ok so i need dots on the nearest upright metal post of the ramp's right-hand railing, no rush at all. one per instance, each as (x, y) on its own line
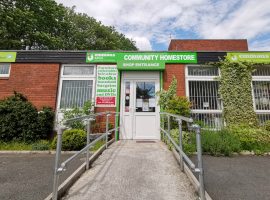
(200, 163)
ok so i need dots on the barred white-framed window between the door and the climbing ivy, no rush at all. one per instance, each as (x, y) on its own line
(202, 91)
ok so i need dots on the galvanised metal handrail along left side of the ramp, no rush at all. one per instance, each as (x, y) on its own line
(89, 118)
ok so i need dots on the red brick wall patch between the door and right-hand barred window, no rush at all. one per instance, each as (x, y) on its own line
(177, 70)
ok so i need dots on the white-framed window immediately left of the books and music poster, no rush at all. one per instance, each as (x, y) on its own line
(77, 85)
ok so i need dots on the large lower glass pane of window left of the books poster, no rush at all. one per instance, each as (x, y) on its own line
(75, 93)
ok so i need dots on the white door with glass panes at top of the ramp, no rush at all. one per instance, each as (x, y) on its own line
(139, 105)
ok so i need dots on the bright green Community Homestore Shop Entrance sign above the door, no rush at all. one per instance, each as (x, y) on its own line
(141, 61)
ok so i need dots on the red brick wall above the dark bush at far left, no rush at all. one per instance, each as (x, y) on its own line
(38, 81)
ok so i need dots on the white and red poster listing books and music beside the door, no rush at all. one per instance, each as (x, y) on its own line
(106, 86)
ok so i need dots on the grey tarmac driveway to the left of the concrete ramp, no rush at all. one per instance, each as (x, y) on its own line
(30, 176)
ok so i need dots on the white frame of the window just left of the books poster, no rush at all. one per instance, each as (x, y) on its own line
(63, 77)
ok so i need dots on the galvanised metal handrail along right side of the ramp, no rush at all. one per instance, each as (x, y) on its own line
(179, 147)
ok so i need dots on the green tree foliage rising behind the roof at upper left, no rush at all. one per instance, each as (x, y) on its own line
(44, 24)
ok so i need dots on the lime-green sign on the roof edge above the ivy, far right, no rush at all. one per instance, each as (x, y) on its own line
(256, 57)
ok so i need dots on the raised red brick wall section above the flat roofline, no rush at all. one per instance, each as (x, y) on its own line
(208, 45)
